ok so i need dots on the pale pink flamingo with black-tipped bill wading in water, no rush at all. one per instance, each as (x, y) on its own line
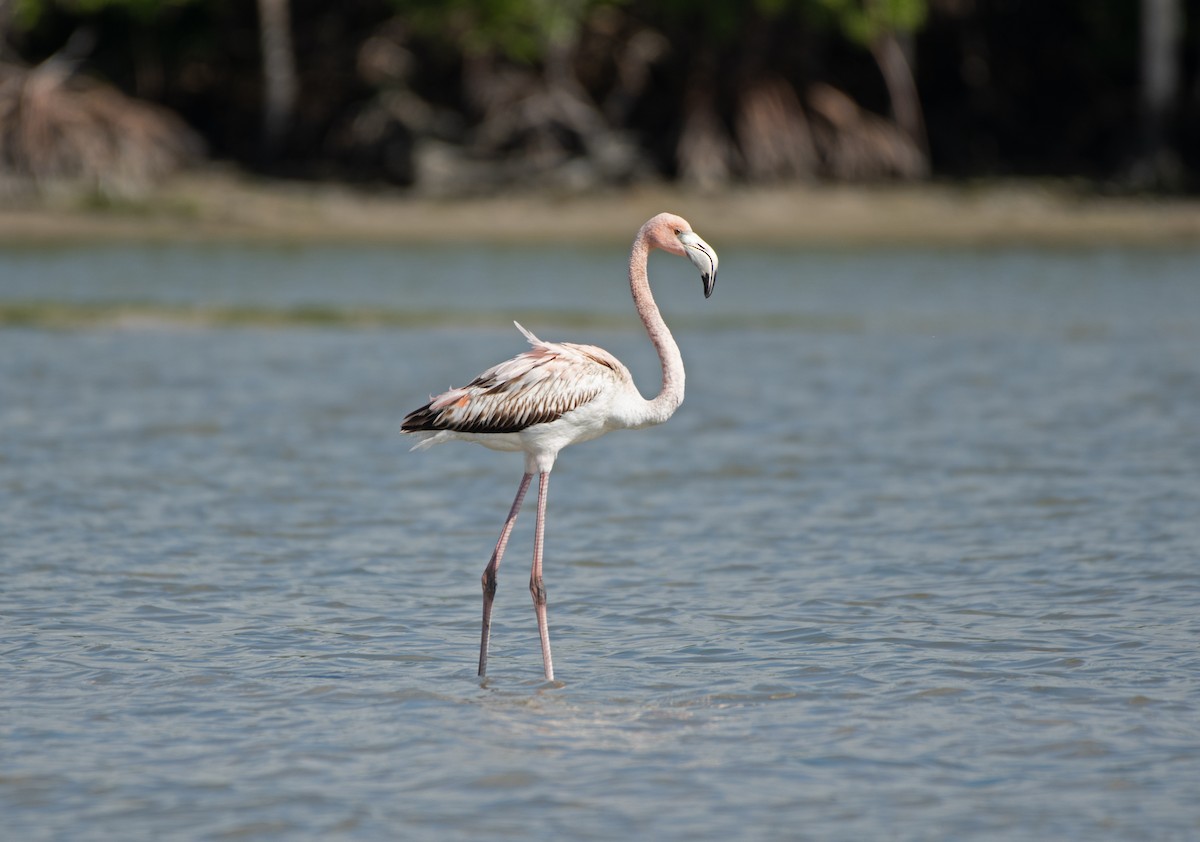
(559, 394)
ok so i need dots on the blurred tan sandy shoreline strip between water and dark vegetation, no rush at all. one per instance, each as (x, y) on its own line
(218, 207)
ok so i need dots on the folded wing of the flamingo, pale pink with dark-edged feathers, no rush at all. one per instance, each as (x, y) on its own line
(537, 387)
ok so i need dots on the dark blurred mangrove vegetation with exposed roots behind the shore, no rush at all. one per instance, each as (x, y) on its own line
(470, 97)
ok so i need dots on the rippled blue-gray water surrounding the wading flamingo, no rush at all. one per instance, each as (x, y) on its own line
(919, 558)
